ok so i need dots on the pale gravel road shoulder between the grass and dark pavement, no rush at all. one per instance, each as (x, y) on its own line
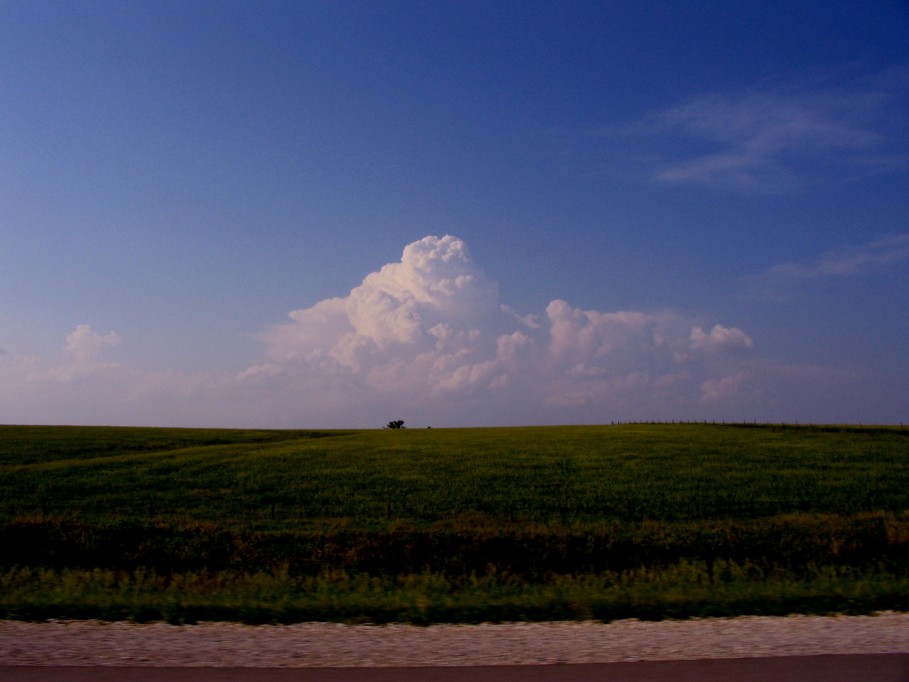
(93, 643)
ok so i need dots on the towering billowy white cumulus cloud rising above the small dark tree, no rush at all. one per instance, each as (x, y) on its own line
(429, 333)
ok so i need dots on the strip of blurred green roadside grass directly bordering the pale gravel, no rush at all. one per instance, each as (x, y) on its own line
(681, 591)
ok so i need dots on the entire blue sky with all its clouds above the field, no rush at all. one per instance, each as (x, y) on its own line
(326, 214)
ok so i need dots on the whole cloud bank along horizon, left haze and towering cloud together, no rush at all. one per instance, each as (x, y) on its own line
(427, 340)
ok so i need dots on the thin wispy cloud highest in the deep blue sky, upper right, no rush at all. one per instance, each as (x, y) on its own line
(771, 140)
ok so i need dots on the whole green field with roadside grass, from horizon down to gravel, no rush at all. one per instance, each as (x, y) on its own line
(452, 525)
